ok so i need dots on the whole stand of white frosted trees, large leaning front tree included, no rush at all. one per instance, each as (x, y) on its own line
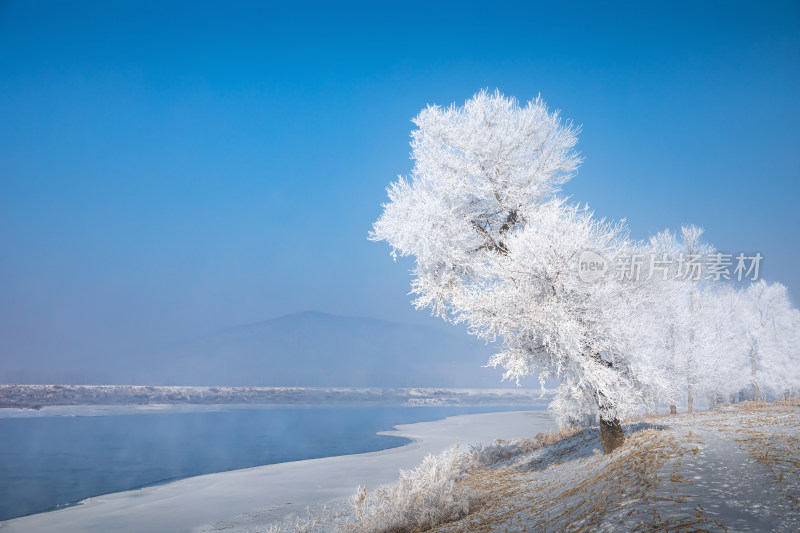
(496, 247)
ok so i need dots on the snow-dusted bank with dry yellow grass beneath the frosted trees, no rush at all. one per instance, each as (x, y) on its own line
(732, 469)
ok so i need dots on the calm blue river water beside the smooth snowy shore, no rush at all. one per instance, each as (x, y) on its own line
(47, 462)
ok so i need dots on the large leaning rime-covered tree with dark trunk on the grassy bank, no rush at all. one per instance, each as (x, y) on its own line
(497, 249)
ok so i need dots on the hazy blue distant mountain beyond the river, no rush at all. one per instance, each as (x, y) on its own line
(313, 349)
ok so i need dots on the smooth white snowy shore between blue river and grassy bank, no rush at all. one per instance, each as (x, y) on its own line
(247, 499)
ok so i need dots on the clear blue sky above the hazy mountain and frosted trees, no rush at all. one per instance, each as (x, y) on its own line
(168, 169)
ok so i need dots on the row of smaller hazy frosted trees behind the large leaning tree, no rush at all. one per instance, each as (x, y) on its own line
(721, 337)
